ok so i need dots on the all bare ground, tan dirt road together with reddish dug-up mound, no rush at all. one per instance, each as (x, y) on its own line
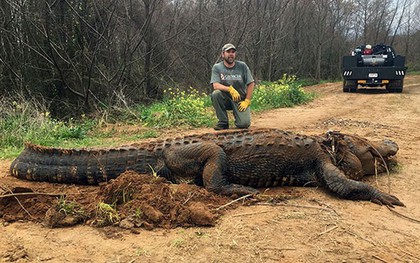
(160, 222)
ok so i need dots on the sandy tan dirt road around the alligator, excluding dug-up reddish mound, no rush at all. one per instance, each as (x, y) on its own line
(313, 227)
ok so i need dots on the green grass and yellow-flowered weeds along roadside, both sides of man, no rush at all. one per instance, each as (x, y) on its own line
(23, 120)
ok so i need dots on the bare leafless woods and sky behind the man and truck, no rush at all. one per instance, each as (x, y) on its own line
(80, 57)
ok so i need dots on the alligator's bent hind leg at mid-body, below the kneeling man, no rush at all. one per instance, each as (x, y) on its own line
(207, 160)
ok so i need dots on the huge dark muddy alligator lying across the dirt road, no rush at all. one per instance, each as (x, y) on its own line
(233, 162)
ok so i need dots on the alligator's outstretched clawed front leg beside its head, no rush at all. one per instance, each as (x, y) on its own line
(336, 182)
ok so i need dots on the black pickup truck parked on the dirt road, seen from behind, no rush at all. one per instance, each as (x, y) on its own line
(377, 68)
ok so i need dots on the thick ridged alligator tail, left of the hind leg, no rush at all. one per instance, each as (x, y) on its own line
(79, 166)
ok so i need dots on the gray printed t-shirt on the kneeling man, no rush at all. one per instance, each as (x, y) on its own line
(239, 76)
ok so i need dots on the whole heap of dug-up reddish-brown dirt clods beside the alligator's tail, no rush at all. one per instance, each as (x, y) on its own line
(132, 200)
